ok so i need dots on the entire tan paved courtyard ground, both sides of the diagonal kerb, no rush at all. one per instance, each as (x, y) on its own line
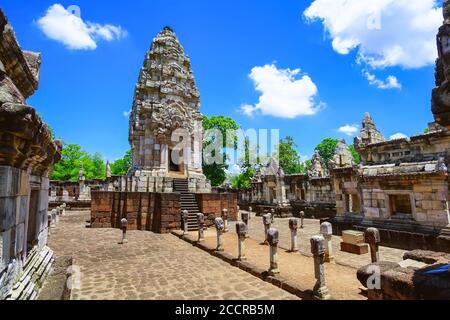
(167, 268)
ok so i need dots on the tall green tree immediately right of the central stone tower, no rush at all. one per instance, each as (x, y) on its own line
(216, 172)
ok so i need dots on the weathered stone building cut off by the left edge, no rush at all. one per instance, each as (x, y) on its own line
(27, 155)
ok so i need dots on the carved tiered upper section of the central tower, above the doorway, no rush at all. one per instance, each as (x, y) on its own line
(166, 93)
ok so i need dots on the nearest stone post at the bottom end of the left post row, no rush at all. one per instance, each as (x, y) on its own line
(318, 250)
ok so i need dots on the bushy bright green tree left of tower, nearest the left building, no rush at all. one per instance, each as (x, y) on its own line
(68, 168)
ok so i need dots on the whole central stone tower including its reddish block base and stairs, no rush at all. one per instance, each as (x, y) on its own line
(164, 179)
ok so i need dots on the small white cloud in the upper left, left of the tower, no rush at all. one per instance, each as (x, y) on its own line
(61, 25)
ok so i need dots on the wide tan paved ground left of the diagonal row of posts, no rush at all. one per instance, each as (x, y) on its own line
(150, 267)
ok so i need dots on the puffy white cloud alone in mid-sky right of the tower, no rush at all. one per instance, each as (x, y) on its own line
(285, 93)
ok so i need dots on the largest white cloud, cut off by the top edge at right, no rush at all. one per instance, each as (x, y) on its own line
(385, 33)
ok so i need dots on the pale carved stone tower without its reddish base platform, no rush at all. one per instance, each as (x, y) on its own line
(166, 111)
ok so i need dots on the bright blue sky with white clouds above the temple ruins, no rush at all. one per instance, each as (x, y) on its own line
(344, 69)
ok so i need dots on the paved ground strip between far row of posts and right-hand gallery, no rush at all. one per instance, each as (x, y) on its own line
(312, 227)
